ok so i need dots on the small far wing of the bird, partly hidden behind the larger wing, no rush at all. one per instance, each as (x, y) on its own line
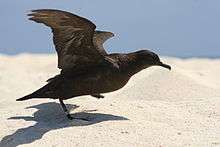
(99, 39)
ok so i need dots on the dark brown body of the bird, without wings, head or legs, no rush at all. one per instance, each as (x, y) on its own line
(97, 79)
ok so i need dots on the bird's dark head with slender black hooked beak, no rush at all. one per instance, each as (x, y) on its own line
(146, 58)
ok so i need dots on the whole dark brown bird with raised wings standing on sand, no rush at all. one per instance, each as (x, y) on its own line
(86, 68)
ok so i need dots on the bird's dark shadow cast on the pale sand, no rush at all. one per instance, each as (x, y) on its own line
(48, 117)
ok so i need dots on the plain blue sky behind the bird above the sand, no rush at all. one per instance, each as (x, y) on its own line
(183, 28)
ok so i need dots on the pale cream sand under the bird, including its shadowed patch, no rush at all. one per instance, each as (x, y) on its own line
(156, 108)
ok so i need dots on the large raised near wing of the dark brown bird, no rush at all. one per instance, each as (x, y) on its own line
(72, 36)
